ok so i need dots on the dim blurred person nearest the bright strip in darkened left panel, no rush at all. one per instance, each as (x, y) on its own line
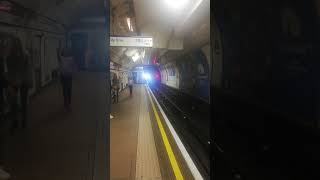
(67, 67)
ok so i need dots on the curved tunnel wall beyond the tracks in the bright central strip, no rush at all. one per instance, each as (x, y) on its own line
(189, 73)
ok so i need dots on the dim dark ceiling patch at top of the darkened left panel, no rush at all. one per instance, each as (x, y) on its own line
(67, 12)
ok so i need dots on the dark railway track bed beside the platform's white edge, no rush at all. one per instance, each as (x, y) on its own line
(191, 124)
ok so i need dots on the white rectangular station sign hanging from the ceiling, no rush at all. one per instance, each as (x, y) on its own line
(131, 41)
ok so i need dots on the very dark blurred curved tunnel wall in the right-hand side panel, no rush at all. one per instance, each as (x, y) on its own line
(269, 58)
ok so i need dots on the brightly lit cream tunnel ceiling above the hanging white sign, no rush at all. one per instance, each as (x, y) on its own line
(170, 28)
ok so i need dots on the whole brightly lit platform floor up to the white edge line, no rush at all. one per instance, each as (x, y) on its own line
(137, 146)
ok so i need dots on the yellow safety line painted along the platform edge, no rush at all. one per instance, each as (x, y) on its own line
(172, 158)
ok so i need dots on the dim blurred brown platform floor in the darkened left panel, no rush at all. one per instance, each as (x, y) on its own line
(57, 145)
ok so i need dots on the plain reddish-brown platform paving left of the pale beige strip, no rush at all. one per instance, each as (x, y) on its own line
(124, 135)
